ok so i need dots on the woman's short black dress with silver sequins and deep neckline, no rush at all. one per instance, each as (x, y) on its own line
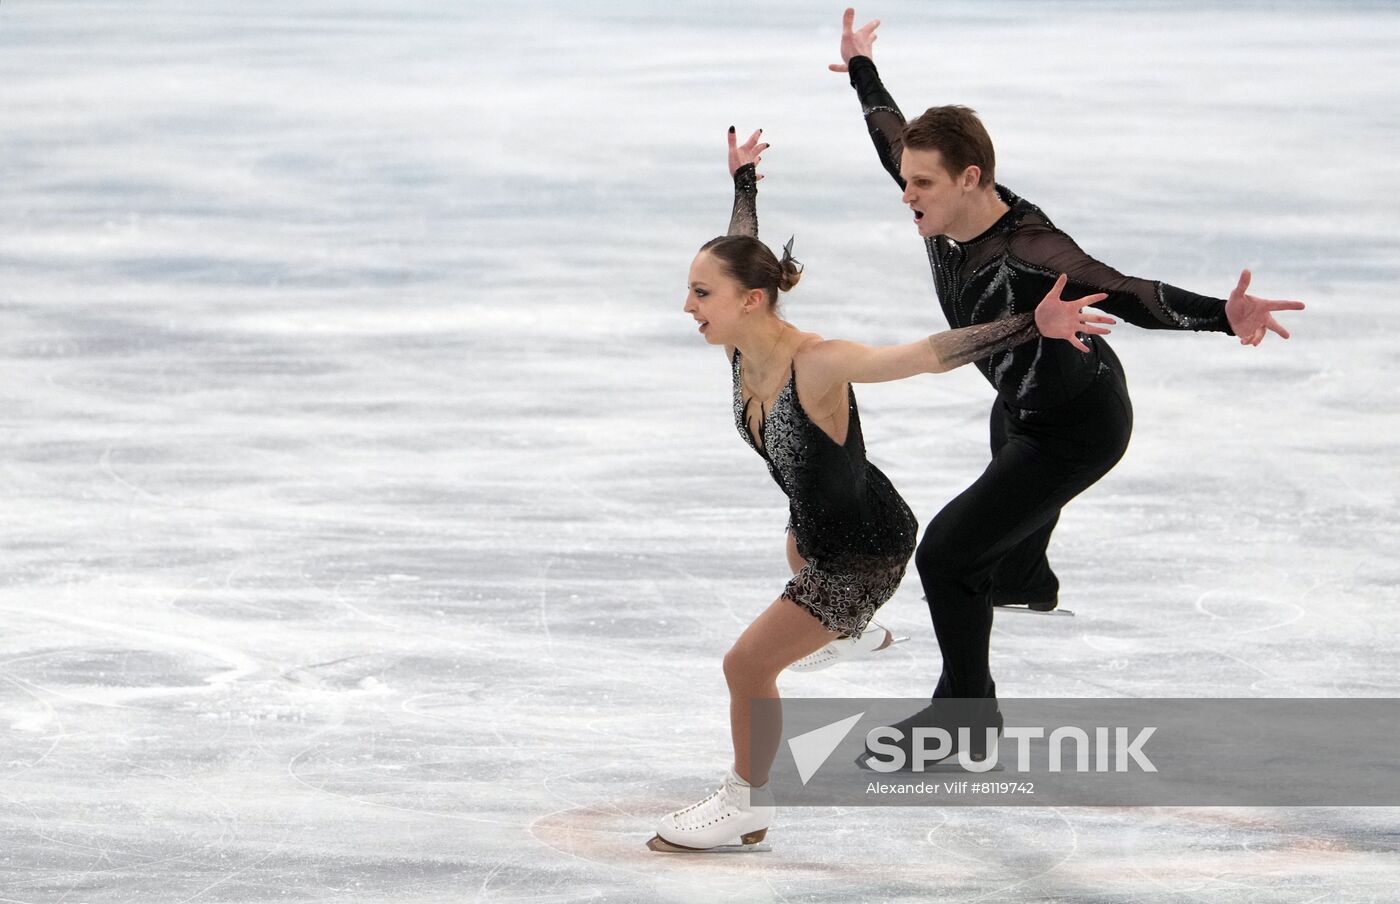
(850, 524)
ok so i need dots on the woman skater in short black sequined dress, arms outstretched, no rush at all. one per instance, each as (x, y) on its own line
(850, 534)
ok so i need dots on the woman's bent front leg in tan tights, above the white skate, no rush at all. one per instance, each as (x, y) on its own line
(779, 637)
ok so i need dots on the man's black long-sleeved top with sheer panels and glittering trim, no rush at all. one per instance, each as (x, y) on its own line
(1010, 268)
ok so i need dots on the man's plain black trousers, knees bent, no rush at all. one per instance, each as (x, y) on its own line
(997, 530)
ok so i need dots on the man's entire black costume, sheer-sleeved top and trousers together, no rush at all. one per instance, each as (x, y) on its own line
(1062, 419)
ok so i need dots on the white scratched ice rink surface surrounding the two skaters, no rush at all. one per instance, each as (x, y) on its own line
(374, 518)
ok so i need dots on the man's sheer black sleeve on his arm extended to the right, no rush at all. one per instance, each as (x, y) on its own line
(1143, 303)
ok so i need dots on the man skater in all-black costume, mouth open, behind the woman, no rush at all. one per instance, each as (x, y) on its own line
(1062, 418)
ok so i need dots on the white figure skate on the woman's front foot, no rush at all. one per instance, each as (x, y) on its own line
(733, 819)
